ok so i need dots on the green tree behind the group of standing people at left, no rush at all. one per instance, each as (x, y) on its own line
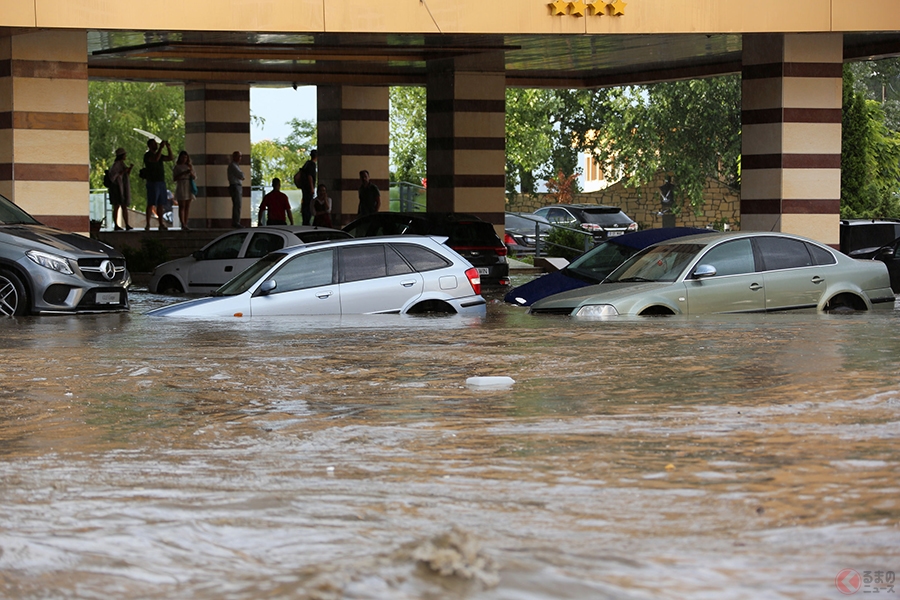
(115, 110)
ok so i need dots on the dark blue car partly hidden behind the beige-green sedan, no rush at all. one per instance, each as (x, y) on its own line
(593, 266)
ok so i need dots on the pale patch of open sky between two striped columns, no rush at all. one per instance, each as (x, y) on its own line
(278, 106)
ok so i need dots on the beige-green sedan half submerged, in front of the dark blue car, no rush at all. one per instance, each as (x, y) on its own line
(730, 273)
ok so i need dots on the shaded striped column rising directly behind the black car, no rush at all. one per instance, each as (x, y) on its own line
(467, 137)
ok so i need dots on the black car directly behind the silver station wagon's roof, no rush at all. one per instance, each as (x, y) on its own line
(472, 238)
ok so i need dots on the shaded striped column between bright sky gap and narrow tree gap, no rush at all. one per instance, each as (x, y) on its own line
(354, 134)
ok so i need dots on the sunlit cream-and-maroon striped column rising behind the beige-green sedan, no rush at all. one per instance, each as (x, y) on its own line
(791, 179)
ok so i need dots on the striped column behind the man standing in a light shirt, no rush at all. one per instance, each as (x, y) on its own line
(217, 122)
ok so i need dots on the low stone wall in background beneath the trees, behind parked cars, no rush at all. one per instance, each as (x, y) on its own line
(722, 204)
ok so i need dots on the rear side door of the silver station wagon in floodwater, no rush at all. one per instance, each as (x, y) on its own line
(376, 279)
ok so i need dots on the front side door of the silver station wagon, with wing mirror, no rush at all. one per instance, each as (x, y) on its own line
(304, 285)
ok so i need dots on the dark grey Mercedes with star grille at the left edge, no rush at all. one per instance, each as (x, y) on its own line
(45, 270)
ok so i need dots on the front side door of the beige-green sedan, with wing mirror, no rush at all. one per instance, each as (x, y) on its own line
(736, 286)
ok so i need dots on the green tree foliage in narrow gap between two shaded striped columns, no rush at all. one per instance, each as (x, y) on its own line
(408, 133)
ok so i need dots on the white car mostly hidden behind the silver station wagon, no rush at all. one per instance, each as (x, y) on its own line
(229, 254)
